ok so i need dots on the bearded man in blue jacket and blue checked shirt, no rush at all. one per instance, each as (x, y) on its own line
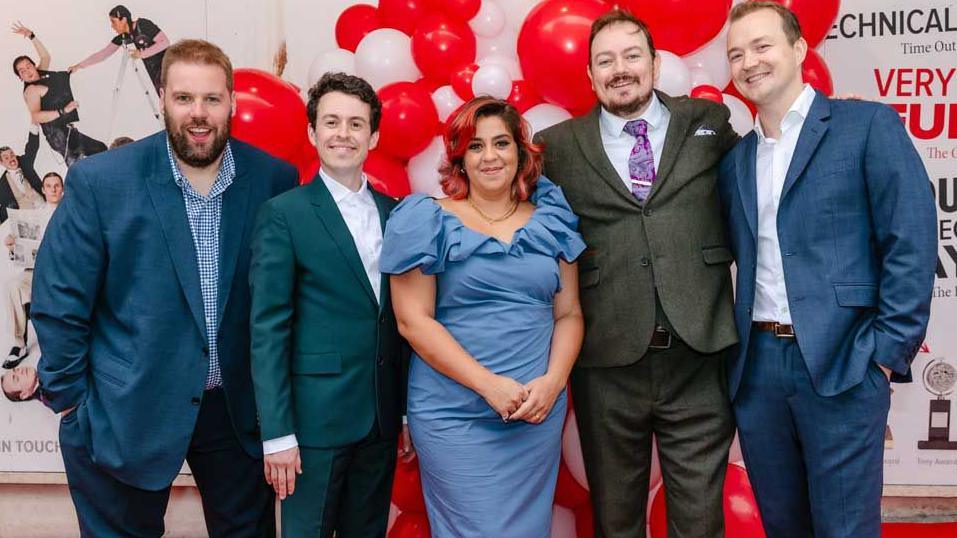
(141, 306)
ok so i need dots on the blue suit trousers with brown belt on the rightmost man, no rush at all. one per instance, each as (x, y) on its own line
(815, 462)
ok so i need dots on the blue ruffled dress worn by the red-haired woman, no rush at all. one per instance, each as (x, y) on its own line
(481, 476)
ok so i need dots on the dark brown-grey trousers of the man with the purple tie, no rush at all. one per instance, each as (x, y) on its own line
(680, 397)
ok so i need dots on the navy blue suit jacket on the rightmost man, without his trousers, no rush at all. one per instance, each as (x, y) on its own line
(857, 229)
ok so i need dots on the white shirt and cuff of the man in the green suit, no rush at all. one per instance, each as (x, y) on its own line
(361, 215)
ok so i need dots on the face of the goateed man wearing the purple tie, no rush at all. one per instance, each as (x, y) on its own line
(622, 70)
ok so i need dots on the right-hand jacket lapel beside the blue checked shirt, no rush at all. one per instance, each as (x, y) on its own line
(232, 227)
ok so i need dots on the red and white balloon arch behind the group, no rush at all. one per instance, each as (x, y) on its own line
(427, 57)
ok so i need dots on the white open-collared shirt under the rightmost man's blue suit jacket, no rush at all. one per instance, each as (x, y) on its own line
(772, 163)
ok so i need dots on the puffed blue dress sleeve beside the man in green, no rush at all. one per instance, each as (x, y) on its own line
(414, 237)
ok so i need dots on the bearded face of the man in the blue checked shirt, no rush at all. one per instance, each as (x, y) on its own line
(197, 107)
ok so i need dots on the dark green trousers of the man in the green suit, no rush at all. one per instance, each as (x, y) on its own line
(346, 490)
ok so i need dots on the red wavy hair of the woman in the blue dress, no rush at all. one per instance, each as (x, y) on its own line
(460, 132)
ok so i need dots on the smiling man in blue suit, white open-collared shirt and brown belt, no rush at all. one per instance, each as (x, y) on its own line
(832, 223)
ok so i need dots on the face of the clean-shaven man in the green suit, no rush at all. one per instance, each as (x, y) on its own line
(343, 133)
